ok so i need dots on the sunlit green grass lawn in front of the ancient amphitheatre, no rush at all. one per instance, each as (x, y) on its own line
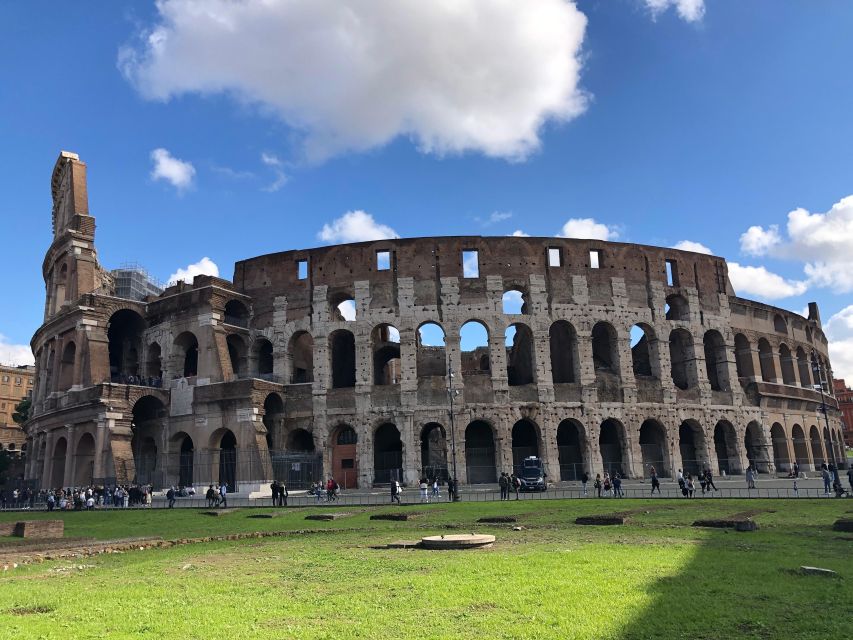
(657, 577)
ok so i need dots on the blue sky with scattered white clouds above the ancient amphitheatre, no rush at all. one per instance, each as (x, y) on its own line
(652, 121)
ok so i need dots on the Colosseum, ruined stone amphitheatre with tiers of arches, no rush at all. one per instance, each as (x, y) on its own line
(393, 359)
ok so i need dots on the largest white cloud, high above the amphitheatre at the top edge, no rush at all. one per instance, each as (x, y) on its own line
(453, 75)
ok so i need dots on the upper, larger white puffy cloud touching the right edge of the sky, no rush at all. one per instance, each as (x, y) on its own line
(821, 241)
